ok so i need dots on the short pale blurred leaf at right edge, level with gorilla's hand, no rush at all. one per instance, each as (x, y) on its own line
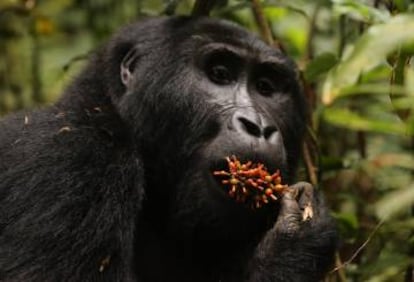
(395, 202)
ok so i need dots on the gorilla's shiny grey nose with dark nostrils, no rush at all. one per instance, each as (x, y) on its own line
(255, 126)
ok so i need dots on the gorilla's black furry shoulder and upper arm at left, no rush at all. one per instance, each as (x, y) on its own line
(67, 207)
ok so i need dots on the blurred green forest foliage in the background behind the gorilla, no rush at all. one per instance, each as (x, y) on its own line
(357, 62)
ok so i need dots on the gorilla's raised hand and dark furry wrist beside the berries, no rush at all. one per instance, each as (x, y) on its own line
(301, 244)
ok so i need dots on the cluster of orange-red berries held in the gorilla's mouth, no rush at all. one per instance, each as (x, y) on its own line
(251, 183)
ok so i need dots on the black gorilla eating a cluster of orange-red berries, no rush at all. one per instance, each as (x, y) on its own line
(114, 182)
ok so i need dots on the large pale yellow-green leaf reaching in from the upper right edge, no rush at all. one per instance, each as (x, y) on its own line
(370, 51)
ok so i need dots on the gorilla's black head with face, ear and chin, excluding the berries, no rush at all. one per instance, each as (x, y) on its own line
(214, 91)
